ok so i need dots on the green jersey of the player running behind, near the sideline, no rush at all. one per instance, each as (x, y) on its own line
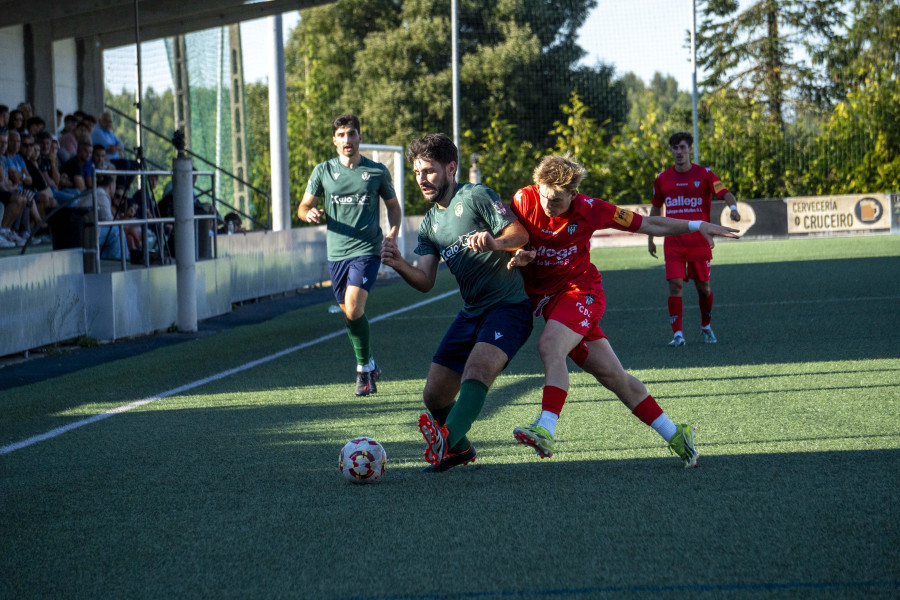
(351, 205)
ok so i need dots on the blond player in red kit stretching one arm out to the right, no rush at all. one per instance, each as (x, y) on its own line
(564, 286)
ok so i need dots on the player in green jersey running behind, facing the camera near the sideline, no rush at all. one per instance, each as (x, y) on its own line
(350, 185)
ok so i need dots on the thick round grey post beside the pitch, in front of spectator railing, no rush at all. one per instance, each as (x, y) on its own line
(185, 261)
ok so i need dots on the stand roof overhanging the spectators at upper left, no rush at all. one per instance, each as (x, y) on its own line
(113, 21)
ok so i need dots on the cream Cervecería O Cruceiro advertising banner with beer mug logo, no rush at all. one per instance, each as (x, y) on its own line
(827, 214)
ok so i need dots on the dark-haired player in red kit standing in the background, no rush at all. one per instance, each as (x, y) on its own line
(686, 190)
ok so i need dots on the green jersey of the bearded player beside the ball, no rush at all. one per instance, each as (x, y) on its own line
(484, 281)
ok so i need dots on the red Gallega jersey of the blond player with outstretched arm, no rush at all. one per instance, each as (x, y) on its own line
(563, 243)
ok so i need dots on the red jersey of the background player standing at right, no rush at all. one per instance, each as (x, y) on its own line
(687, 196)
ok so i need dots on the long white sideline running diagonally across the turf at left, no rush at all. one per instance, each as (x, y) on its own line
(188, 386)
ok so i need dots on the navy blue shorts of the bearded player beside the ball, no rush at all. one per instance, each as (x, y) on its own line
(506, 326)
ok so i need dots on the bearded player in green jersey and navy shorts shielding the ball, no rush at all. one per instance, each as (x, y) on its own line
(474, 232)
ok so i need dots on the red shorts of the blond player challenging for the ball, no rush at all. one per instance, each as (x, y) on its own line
(579, 311)
